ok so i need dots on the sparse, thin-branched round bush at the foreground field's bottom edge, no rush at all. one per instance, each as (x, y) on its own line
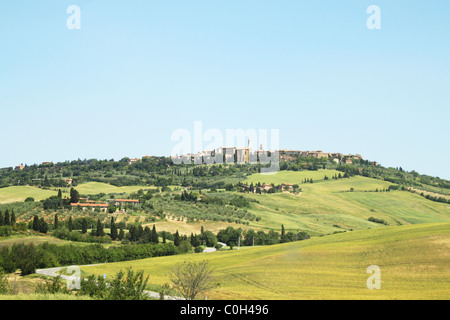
(191, 279)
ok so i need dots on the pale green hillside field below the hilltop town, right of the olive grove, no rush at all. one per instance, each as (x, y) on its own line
(329, 206)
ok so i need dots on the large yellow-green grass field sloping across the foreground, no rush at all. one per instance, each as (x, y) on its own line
(414, 261)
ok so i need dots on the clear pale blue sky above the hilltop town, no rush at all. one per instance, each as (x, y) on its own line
(137, 71)
